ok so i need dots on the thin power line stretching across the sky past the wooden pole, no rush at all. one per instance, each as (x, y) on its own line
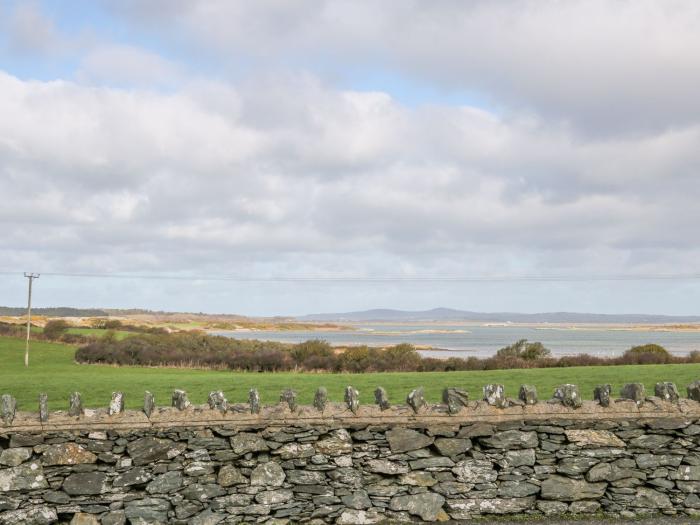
(387, 278)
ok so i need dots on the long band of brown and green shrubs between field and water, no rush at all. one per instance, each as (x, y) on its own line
(197, 350)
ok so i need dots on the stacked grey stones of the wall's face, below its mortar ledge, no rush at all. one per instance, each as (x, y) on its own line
(371, 474)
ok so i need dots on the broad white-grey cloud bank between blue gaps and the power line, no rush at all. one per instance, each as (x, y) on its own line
(264, 176)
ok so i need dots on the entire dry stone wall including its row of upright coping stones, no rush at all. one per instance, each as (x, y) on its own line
(352, 463)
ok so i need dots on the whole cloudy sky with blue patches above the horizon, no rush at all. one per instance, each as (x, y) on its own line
(232, 143)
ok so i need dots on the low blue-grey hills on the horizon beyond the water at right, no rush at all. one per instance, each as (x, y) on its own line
(448, 314)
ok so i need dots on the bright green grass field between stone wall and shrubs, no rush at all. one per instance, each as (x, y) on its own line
(53, 370)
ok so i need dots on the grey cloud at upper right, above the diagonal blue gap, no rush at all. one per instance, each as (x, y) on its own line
(603, 67)
